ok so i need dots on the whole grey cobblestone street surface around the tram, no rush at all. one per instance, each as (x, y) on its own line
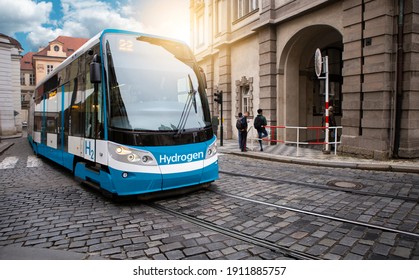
(42, 206)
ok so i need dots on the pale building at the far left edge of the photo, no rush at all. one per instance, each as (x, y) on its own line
(10, 119)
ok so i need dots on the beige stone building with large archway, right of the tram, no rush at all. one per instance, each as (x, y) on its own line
(260, 53)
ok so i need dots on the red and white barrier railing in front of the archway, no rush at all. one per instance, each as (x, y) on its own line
(274, 136)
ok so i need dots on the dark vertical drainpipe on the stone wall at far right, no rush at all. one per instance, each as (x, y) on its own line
(399, 80)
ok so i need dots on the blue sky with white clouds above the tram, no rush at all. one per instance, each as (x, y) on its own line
(34, 23)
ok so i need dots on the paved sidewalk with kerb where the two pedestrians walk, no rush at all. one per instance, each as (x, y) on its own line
(314, 157)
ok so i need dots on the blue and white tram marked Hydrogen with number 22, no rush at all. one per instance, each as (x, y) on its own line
(128, 113)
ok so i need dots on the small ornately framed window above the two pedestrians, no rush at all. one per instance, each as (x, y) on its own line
(244, 95)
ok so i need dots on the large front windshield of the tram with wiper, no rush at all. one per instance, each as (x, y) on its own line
(153, 85)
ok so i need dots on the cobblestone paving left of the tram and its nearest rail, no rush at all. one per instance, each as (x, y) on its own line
(44, 207)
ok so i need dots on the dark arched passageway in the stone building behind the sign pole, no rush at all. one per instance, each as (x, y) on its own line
(300, 93)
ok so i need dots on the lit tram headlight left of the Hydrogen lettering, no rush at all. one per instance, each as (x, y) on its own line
(130, 155)
